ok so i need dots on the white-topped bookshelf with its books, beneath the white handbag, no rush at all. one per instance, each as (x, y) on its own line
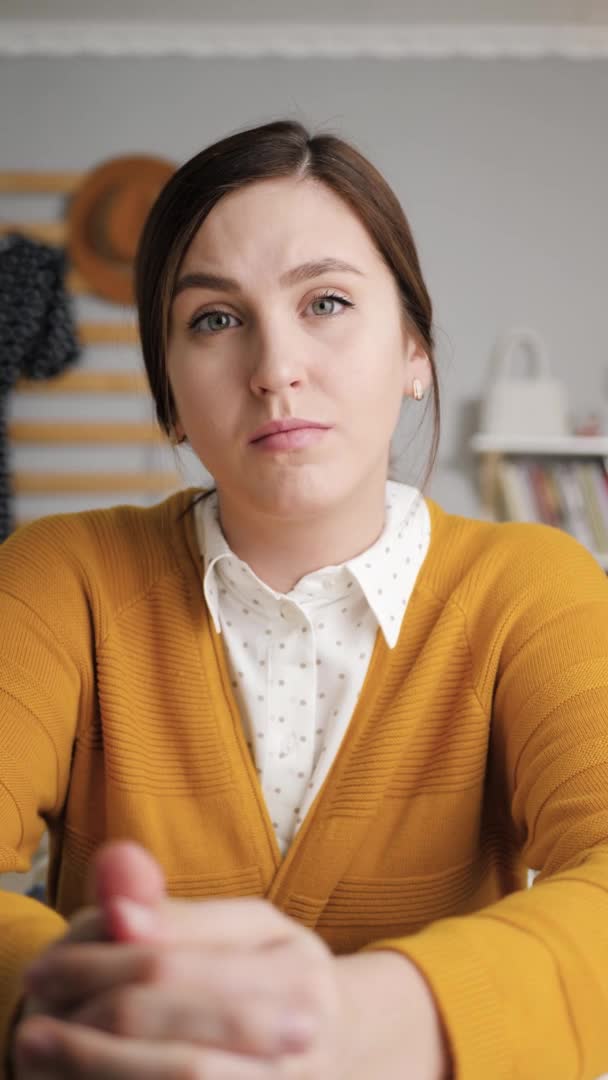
(561, 481)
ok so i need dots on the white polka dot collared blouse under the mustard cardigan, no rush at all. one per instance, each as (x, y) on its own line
(299, 660)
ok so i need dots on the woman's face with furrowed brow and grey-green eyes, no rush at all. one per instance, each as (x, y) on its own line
(286, 310)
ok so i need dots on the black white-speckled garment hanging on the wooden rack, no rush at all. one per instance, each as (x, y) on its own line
(37, 333)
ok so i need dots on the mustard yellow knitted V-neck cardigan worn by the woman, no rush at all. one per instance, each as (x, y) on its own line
(479, 748)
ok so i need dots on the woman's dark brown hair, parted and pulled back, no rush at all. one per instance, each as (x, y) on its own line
(281, 148)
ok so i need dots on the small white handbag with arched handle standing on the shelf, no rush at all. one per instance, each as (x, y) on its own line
(523, 404)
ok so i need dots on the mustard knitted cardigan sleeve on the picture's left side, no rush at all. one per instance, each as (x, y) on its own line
(44, 616)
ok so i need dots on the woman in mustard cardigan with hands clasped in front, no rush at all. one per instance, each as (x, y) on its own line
(349, 719)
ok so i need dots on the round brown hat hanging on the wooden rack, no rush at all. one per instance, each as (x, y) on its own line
(106, 217)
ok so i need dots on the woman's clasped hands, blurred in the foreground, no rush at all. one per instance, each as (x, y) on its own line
(144, 988)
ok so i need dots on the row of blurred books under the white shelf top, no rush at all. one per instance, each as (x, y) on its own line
(571, 495)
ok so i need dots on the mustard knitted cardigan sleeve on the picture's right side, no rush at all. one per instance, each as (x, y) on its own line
(522, 985)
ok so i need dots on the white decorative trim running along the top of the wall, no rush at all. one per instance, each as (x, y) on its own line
(305, 40)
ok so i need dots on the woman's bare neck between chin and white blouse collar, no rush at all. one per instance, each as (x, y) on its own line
(281, 550)
